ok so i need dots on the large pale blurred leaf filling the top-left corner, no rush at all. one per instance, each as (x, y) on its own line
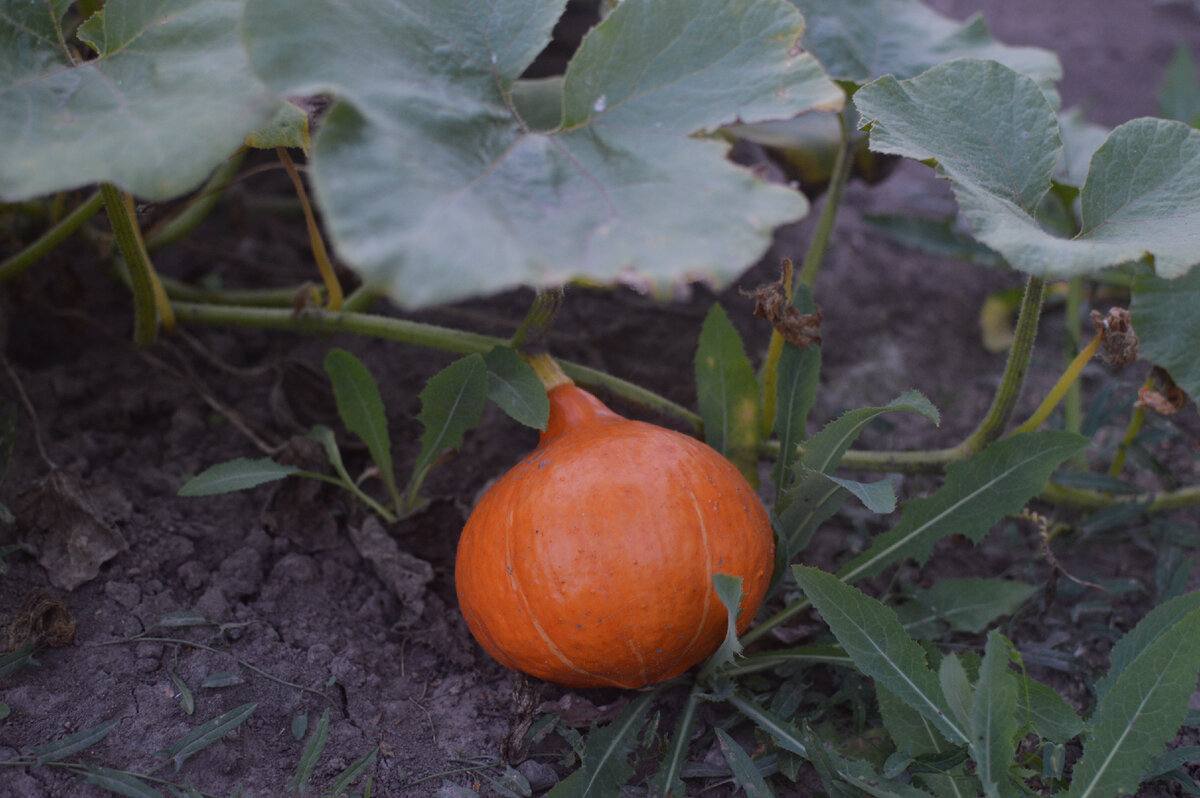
(169, 97)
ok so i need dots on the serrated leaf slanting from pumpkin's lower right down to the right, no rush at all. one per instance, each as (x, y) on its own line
(874, 639)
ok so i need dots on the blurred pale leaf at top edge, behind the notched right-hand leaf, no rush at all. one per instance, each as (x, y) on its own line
(862, 40)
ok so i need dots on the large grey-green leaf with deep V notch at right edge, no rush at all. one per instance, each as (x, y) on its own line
(995, 137)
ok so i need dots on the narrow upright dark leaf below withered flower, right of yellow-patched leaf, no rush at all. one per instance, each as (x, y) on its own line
(796, 391)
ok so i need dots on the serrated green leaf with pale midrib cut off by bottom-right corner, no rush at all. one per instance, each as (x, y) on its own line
(1141, 713)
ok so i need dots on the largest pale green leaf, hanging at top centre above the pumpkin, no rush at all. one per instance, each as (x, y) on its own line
(435, 189)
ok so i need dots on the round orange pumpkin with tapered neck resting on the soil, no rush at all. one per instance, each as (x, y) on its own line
(591, 562)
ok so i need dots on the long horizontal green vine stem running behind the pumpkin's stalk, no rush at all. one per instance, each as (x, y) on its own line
(321, 322)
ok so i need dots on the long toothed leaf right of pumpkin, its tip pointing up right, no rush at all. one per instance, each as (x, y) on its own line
(979, 491)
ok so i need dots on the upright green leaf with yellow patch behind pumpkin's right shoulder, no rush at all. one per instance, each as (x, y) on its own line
(728, 394)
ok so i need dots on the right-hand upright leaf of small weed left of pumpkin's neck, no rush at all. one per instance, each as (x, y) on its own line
(452, 404)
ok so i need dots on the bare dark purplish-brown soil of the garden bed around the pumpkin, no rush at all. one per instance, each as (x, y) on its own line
(320, 611)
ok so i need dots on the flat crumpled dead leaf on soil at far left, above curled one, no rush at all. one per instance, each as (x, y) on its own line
(62, 527)
